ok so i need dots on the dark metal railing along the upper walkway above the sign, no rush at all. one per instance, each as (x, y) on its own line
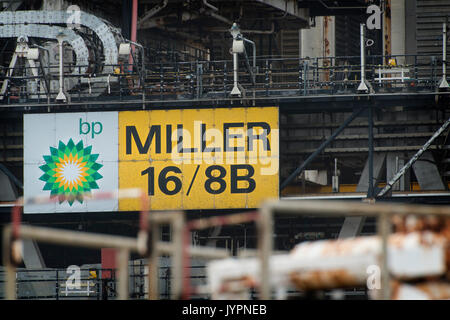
(274, 77)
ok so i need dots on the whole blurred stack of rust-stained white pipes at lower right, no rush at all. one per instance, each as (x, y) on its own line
(418, 251)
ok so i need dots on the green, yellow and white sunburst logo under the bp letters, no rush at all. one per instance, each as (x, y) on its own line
(70, 171)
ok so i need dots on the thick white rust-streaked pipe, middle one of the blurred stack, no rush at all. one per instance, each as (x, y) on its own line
(328, 264)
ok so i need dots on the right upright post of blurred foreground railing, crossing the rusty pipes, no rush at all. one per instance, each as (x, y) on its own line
(383, 232)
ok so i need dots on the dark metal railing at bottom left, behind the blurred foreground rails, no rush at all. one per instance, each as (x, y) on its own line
(94, 283)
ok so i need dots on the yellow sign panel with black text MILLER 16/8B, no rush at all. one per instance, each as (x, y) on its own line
(199, 158)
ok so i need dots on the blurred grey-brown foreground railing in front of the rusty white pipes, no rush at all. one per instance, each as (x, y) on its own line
(383, 212)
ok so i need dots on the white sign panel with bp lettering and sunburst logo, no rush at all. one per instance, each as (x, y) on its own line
(68, 156)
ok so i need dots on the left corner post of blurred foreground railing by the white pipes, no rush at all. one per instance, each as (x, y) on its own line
(265, 245)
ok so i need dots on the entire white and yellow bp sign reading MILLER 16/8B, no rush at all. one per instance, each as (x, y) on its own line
(182, 159)
